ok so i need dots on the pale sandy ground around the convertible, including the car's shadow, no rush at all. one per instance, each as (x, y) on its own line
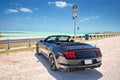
(29, 66)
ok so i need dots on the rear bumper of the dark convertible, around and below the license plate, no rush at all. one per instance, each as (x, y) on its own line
(64, 64)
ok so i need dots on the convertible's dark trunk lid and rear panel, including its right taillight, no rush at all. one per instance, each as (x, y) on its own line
(82, 51)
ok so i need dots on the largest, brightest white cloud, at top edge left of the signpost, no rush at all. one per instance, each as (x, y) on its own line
(60, 4)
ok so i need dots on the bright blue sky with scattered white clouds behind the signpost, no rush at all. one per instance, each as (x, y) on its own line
(56, 16)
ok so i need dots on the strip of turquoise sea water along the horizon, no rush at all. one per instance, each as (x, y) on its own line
(28, 33)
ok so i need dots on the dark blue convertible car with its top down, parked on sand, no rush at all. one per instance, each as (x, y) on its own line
(65, 54)
